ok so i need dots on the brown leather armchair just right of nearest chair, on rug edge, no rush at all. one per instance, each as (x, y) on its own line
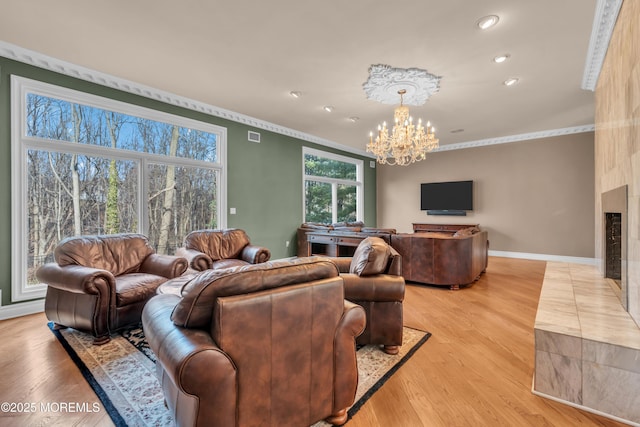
(373, 279)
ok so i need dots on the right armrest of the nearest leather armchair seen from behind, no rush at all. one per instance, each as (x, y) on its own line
(350, 327)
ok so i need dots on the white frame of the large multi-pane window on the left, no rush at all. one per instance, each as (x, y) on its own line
(21, 143)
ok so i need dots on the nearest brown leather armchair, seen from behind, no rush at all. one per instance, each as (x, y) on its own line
(259, 345)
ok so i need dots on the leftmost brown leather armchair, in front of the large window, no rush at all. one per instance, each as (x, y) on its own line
(99, 284)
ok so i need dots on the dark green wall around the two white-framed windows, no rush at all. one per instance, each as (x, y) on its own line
(264, 180)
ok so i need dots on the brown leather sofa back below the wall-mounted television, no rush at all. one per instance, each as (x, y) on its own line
(443, 258)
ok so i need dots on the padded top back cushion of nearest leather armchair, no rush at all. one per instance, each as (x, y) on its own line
(195, 309)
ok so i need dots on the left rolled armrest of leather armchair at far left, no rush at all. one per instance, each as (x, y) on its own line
(77, 279)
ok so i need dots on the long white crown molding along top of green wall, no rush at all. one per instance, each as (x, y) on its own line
(52, 64)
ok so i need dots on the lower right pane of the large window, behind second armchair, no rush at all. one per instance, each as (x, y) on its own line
(181, 199)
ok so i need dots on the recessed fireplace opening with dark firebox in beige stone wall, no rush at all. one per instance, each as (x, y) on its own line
(614, 242)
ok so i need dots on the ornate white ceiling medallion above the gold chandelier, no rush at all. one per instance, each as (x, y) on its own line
(384, 82)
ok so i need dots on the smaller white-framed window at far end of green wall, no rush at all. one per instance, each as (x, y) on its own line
(333, 187)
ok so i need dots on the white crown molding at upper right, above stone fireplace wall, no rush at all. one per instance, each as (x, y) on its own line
(603, 23)
